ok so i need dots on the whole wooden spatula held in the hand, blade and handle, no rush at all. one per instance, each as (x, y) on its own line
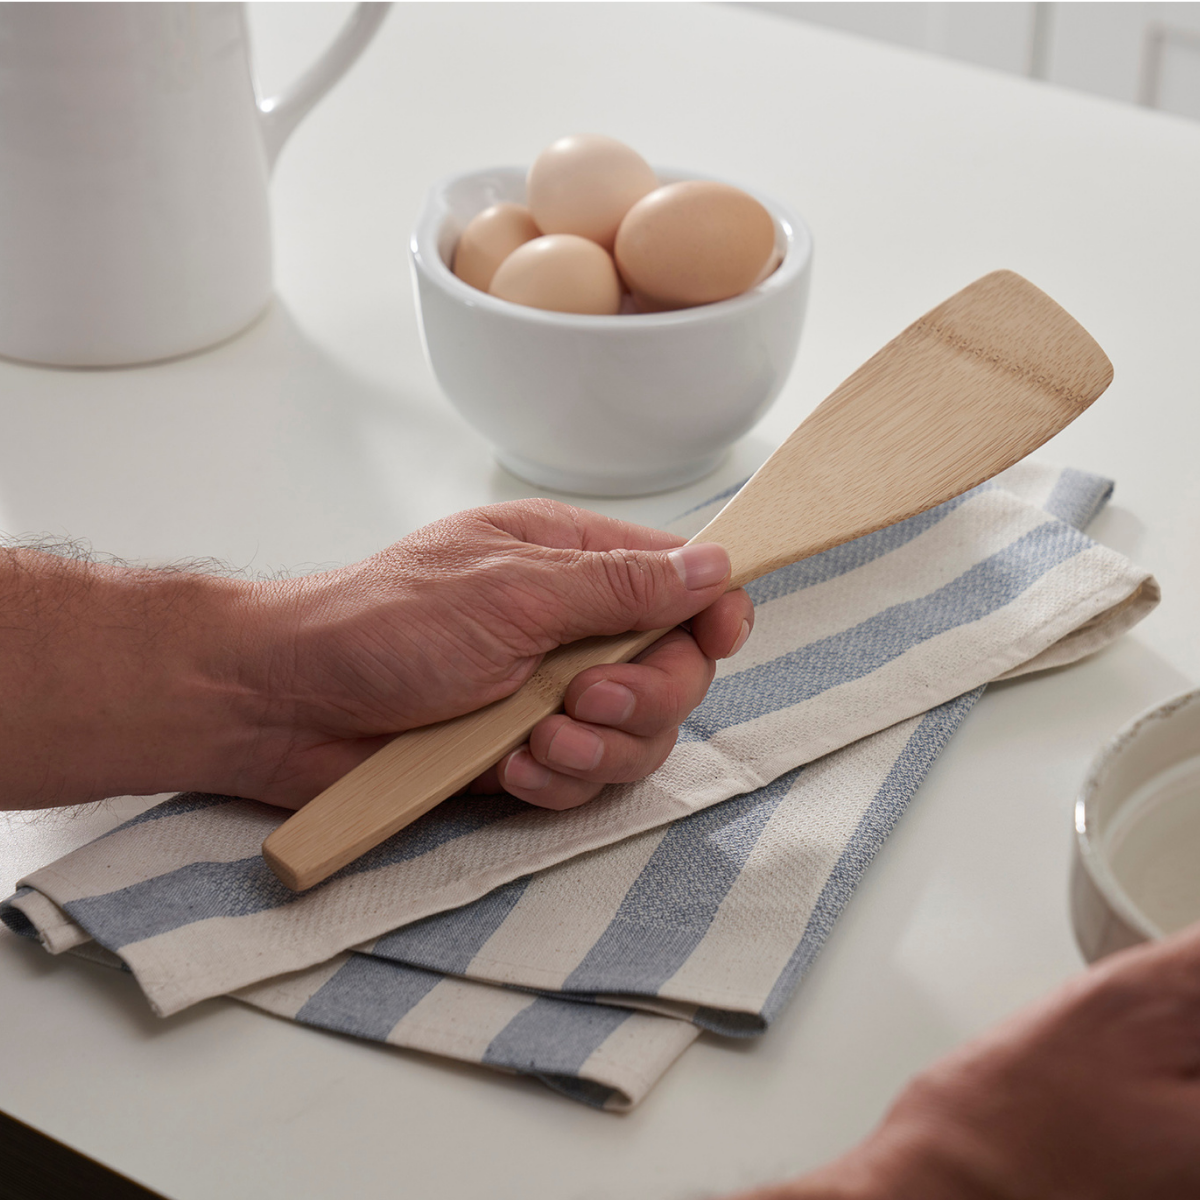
(967, 392)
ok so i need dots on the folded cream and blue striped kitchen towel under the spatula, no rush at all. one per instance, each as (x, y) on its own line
(590, 947)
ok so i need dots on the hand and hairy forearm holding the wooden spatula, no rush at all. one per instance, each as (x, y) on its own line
(119, 681)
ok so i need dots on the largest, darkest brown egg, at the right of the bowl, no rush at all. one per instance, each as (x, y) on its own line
(694, 243)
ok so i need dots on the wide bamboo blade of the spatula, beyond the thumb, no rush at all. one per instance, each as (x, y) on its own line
(965, 392)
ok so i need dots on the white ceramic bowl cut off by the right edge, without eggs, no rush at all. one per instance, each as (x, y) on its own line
(1137, 869)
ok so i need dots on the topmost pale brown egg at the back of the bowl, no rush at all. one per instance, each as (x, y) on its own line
(586, 184)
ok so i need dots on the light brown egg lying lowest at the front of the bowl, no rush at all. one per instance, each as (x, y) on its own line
(561, 272)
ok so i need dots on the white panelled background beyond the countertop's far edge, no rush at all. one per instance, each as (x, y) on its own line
(1141, 53)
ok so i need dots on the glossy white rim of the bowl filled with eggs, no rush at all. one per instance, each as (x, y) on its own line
(427, 257)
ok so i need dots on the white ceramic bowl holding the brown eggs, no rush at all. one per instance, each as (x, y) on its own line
(603, 406)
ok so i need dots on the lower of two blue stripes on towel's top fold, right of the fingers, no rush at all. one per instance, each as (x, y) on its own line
(854, 653)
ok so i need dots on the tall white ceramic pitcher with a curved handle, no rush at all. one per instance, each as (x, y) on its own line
(135, 159)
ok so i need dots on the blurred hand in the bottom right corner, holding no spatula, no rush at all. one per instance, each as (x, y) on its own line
(1090, 1095)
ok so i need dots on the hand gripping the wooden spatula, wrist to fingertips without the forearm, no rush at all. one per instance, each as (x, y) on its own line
(461, 613)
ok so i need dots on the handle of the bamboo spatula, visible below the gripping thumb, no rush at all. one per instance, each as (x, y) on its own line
(410, 776)
